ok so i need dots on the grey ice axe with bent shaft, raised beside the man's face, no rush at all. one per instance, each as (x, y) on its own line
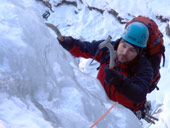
(107, 44)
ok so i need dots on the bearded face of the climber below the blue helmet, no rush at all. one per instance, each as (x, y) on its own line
(125, 52)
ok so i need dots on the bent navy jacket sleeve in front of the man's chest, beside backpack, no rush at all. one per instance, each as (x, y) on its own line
(136, 87)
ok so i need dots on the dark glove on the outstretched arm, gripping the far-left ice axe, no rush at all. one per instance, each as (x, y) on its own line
(67, 43)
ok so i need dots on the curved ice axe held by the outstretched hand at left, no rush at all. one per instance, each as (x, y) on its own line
(56, 30)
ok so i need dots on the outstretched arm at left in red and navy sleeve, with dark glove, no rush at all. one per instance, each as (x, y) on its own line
(82, 48)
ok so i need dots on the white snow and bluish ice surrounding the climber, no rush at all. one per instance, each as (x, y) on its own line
(43, 86)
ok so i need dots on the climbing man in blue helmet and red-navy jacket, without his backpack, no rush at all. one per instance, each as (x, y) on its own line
(129, 81)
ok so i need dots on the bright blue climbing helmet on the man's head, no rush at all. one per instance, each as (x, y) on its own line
(137, 34)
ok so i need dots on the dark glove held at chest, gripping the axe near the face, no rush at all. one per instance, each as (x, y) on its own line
(113, 77)
